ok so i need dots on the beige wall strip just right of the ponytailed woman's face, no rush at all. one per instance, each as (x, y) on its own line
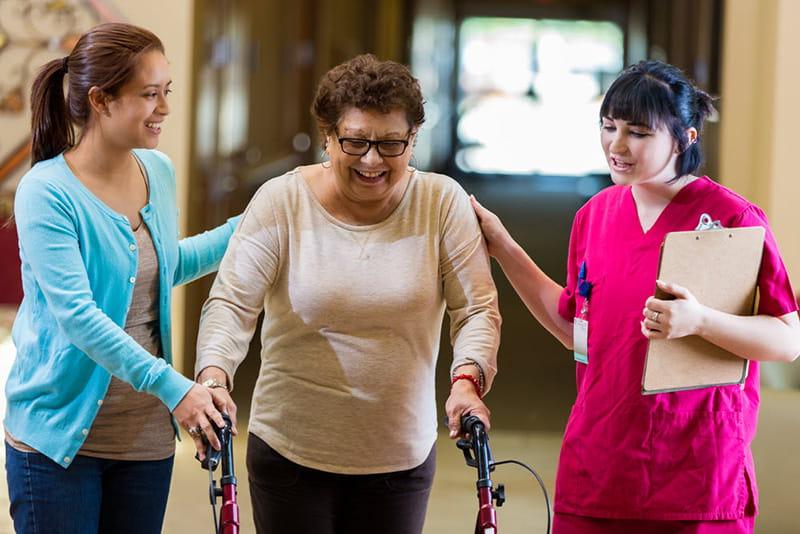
(172, 21)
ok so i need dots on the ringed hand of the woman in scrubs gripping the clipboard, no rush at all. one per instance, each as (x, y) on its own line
(671, 319)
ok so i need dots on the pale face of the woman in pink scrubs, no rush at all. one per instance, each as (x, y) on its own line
(637, 154)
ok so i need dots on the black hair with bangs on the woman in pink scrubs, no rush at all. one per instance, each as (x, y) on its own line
(653, 94)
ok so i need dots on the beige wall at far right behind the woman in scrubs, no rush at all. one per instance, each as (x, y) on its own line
(761, 109)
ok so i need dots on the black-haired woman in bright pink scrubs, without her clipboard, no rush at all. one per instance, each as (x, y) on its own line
(670, 462)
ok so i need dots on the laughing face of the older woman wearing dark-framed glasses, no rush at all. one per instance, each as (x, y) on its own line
(371, 178)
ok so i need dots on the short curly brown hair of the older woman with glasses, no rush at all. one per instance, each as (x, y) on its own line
(365, 82)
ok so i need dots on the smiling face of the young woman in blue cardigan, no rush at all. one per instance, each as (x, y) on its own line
(133, 117)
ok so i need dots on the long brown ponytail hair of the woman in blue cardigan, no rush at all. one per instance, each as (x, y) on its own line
(105, 57)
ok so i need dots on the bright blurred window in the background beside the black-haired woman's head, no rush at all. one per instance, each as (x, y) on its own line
(529, 95)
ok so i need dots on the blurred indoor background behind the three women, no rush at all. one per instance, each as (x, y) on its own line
(513, 89)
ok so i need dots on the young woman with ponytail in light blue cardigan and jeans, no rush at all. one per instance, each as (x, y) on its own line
(89, 434)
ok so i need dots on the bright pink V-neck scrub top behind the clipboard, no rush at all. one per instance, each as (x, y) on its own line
(669, 456)
